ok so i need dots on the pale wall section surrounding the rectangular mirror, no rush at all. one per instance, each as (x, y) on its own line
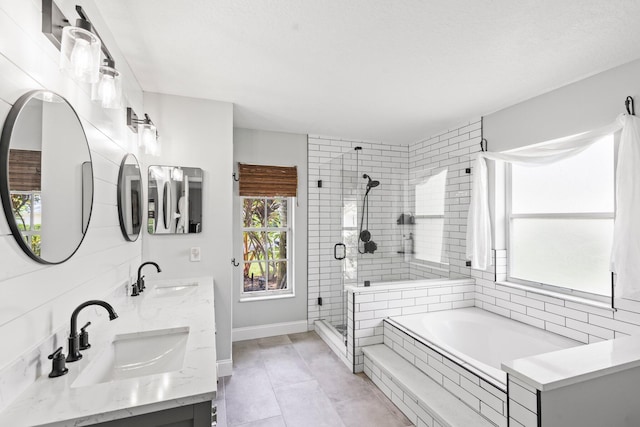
(197, 133)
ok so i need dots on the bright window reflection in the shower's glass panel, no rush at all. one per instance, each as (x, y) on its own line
(429, 219)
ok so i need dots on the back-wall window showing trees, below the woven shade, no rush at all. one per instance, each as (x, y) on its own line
(266, 239)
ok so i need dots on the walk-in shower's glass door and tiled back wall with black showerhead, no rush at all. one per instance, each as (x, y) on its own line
(358, 238)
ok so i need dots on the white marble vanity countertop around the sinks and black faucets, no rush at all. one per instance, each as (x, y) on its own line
(55, 402)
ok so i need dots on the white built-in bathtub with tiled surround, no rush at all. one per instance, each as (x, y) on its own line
(478, 340)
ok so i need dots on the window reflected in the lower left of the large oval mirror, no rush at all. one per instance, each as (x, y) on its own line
(27, 212)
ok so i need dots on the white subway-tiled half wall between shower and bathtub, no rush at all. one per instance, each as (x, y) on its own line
(367, 307)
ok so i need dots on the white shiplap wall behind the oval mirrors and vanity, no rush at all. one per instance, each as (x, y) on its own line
(36, 300)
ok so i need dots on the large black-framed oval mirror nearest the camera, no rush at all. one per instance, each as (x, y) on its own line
(47, 181)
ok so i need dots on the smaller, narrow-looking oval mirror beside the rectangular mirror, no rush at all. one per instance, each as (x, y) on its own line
(130, 197)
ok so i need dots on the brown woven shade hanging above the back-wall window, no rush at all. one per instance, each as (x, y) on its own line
(268, 181)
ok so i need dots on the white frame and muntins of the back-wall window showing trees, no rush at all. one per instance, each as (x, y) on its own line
(289, 229)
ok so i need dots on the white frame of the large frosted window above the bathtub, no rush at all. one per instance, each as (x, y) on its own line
(509, 216)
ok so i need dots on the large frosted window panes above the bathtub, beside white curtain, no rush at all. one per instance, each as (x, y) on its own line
(560, 220)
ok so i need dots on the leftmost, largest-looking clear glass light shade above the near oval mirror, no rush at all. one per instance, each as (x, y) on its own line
(80, 54)
